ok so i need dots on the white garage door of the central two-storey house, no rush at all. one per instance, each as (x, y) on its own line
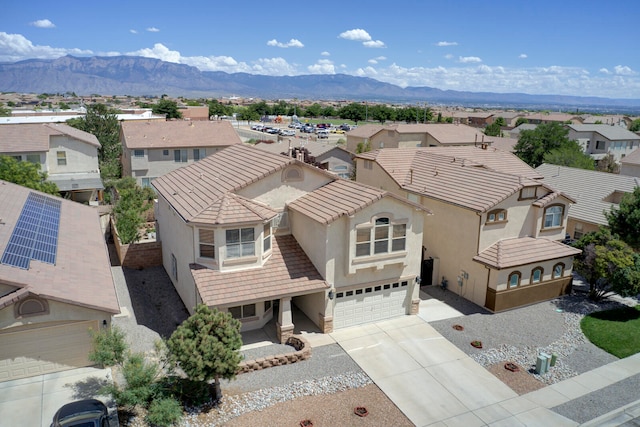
(370, 304)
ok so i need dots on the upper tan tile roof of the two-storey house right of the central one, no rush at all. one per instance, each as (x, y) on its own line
(455, 179)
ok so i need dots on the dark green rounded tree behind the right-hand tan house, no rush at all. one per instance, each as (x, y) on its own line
(534, 144)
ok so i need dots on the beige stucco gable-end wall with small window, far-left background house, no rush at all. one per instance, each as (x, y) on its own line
(81, 157)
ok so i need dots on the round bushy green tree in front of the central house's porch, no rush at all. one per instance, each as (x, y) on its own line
(206, 346)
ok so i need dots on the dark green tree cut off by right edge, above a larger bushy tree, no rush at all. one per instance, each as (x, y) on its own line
(625, 219)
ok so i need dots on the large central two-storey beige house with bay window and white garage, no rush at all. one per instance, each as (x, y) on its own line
(253, 233)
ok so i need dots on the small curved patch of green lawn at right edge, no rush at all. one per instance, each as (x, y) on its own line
(615, 331)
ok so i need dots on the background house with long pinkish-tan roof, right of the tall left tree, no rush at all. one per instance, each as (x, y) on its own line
(153, 148)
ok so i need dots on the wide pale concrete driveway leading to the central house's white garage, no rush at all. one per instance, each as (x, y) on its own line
(432, 381)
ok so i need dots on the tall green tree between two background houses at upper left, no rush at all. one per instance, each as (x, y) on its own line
(102, 122)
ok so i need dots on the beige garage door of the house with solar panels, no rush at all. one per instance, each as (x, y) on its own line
(45, 349)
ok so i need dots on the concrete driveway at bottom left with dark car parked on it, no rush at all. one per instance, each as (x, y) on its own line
(34, 401)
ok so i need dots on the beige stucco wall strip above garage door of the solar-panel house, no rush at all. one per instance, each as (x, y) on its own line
(58, 312)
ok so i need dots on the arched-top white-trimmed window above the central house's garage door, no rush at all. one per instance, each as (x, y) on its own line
(383, 237)
